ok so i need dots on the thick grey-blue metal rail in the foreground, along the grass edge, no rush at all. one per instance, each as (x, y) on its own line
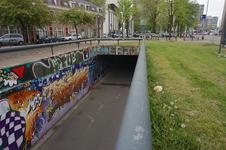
(135, 131)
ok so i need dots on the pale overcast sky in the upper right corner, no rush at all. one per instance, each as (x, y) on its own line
(215, 8)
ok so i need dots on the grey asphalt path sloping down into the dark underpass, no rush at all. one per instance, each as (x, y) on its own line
(95, 124)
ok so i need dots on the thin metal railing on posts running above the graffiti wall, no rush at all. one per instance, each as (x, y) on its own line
(51, 45)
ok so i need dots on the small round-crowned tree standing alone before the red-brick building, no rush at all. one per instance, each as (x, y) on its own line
(75, 16)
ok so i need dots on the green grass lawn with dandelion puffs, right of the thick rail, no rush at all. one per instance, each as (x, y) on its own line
(190, 112)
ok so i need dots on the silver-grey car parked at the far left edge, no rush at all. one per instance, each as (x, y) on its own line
(11, 39)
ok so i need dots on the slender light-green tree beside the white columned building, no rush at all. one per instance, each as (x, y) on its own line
(125, 12)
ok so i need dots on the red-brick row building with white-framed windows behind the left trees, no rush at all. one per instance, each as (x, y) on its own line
(62, 30)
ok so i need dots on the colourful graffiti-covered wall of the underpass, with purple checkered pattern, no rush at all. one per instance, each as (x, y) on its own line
(35, 95)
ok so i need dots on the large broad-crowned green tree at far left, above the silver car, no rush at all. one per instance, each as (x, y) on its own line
(24, 13)
